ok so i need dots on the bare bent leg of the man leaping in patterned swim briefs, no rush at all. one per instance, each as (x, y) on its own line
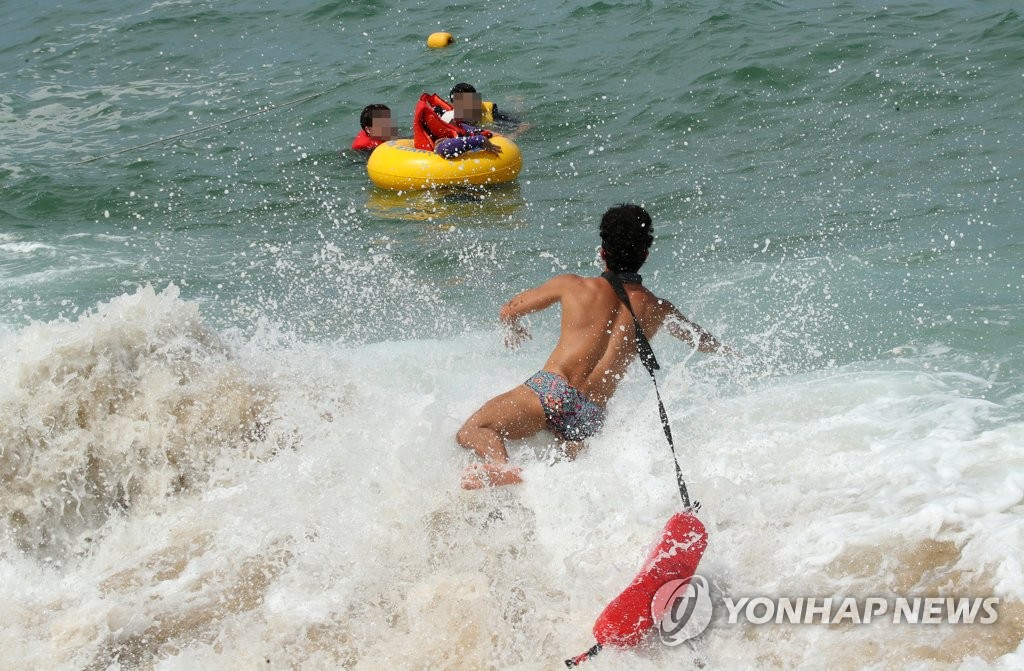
(514, 415)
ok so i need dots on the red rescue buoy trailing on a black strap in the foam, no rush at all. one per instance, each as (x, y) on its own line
(625, 621)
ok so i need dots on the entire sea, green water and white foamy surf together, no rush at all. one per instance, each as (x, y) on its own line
(233, 370)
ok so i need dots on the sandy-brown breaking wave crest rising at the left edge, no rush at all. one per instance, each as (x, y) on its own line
(115, 411)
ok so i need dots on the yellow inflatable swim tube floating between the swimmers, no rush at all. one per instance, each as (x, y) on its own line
(398, 165)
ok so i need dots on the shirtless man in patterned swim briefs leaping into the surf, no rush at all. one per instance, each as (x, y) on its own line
(598, 344)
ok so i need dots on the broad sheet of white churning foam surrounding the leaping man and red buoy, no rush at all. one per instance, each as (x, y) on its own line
(356, 550)
